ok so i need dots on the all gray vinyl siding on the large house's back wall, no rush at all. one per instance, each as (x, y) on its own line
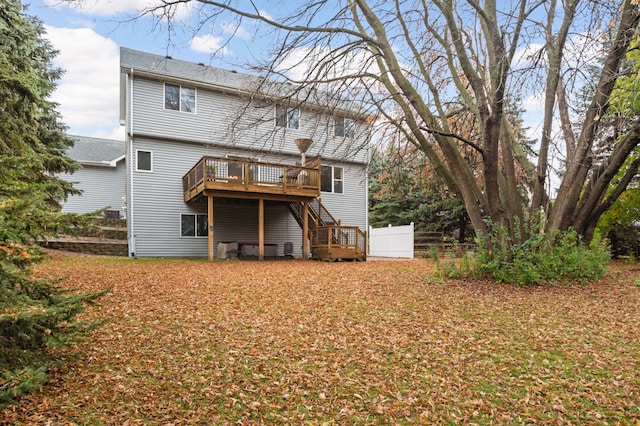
(178, 140)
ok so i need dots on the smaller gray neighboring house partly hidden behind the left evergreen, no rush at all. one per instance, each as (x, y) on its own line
(101, 176)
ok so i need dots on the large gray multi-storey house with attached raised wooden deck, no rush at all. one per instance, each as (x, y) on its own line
(213, 160)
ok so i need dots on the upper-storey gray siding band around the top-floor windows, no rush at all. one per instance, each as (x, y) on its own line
(234, 121)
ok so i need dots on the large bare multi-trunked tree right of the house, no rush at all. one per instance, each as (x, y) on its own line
(416, 65)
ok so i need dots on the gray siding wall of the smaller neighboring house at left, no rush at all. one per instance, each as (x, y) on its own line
(101, 186)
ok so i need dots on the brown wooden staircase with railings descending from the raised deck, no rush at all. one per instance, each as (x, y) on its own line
(329, 239)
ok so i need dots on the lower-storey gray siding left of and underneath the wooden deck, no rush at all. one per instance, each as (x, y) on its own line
(158, 204)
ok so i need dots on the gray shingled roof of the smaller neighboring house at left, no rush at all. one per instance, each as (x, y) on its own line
(96, 151)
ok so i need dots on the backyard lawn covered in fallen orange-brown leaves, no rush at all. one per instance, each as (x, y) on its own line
(191, 342)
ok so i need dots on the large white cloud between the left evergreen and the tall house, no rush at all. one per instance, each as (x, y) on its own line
(88, 92)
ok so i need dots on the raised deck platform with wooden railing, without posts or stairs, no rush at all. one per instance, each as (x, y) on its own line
(248, 179)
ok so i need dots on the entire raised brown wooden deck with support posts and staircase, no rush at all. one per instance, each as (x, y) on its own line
(213, 177)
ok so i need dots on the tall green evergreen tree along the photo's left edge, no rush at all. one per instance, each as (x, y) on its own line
(35, 314)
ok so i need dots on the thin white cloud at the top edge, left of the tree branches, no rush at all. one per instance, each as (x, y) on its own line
(117, 7)
